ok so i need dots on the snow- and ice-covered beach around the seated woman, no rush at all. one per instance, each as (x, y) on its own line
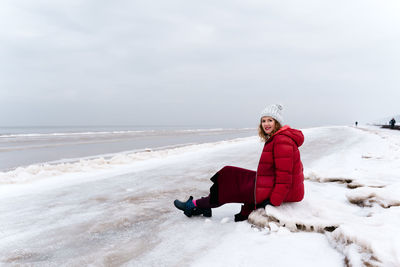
(118, 211)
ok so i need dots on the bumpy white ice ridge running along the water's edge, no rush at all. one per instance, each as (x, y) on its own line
(120, 162)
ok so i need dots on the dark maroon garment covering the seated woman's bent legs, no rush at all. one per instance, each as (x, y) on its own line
(231, 185)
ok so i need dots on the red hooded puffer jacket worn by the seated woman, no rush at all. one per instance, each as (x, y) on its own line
(280, 171)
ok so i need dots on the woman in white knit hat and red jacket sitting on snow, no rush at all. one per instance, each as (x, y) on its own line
(279, 177)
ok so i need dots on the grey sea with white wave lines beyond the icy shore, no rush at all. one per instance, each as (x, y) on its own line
(25, 146)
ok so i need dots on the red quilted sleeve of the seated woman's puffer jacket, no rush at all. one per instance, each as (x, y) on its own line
(283, 161)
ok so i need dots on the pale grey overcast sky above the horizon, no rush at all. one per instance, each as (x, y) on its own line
(211, 63)
